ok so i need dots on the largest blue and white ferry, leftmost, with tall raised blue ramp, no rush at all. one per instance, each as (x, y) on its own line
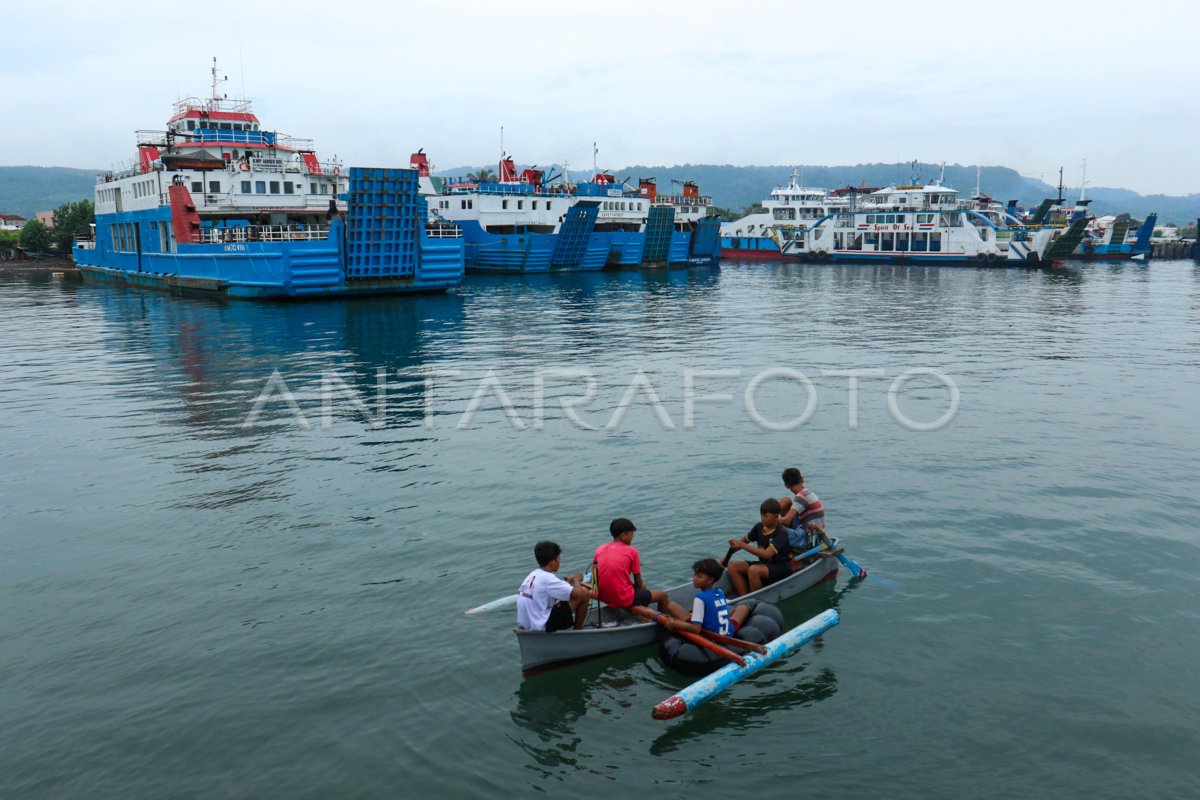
(217, 203)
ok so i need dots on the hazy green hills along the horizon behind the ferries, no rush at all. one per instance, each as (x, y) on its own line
(29, 190)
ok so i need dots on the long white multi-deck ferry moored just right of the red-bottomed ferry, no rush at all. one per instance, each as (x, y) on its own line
(925, 224)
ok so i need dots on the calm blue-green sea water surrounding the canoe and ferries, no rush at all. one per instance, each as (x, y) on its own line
(194, 606)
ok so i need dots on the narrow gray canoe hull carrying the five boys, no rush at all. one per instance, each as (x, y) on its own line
(620, 630)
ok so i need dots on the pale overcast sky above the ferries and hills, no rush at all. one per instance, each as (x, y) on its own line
(1029, 86)
